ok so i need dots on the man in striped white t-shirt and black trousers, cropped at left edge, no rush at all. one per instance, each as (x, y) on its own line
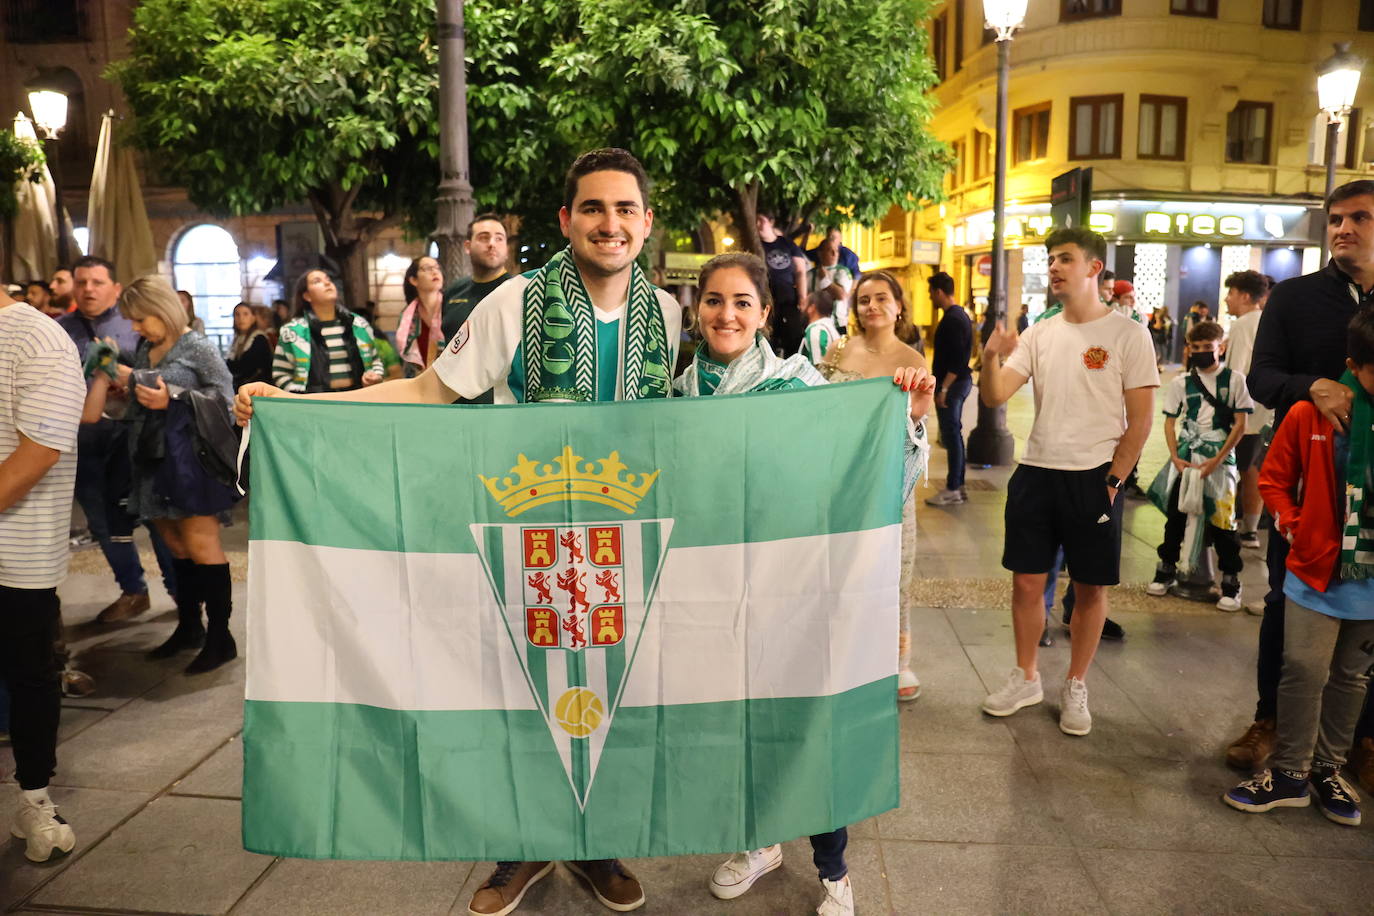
(42, 392)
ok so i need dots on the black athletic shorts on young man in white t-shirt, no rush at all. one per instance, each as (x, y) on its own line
(1049, 509)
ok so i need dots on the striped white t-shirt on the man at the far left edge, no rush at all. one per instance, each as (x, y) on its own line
(42, 392)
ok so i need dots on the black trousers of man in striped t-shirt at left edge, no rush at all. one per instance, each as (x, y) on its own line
(30, 668)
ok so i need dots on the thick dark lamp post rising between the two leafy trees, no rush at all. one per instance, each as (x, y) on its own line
(455, 189)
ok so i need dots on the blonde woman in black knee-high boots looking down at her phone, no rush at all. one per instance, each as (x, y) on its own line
(172, 359)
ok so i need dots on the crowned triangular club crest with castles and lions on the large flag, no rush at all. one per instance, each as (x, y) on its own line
(575, 597)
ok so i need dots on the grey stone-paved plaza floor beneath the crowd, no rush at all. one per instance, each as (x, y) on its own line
(998, 816)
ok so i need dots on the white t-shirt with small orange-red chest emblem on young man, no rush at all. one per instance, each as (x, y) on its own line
(1081, 373)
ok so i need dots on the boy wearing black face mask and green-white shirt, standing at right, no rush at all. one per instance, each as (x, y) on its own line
(1206, 413)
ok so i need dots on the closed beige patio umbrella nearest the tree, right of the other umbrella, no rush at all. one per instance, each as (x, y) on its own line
(119, 222)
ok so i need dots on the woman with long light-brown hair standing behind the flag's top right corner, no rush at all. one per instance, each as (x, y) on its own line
(883, 348)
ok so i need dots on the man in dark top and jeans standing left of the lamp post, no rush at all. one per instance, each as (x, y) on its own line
(954, 381)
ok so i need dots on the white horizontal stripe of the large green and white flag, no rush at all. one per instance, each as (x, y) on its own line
(398, 631)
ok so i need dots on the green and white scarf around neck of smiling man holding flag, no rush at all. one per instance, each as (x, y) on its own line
(560, 333)
